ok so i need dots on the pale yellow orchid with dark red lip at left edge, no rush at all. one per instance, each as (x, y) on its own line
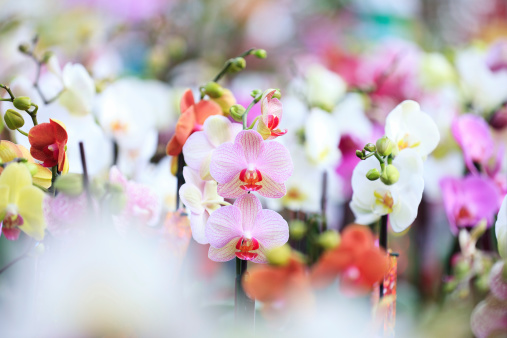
(20, 203)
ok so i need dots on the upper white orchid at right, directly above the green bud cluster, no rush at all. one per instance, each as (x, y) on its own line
(408, 127)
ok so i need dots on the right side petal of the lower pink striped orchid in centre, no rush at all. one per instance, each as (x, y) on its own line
(270, 229)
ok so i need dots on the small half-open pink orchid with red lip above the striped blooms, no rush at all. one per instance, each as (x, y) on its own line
(271, 114)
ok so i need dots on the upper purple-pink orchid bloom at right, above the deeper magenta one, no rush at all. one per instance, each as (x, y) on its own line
(474, 137)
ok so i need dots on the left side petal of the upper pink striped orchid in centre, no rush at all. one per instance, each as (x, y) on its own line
(227, 161)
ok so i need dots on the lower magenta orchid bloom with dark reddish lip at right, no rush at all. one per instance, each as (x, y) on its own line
(469, 200)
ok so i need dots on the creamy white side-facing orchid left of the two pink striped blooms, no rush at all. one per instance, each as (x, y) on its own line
(201, 199)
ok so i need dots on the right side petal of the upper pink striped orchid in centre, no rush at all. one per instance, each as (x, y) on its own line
(276, 162)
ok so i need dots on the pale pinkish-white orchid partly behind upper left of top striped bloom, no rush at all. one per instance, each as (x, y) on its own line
(200, 146)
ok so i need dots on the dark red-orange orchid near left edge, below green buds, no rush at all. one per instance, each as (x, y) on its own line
(48, 141)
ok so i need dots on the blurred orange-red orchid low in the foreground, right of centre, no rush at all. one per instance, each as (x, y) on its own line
(357, 260)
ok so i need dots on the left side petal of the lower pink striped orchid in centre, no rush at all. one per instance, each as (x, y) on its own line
(224, 225)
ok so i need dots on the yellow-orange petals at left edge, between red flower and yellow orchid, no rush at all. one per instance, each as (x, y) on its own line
(9, 151)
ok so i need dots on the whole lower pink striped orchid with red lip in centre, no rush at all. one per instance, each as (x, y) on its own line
(245, 230)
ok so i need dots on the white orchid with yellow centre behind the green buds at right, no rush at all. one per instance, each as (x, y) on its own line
(372, 199)
